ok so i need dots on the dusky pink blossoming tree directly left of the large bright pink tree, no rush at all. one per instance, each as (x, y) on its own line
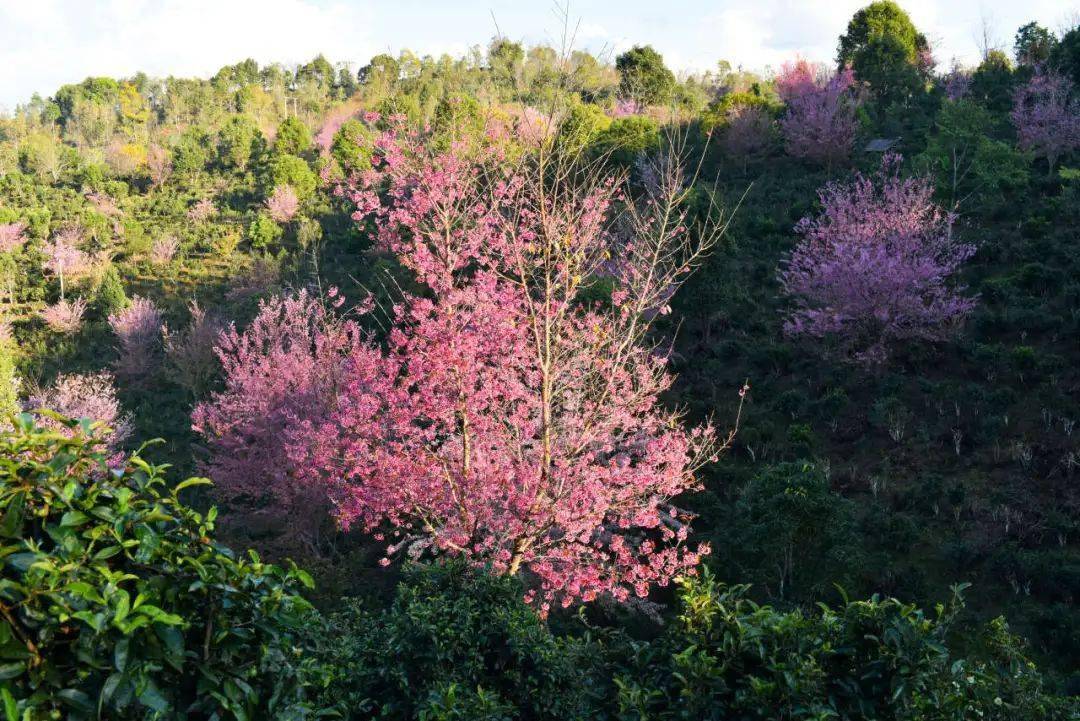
(285, 368)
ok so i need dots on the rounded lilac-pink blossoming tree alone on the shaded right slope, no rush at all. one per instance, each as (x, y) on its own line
(874, 269)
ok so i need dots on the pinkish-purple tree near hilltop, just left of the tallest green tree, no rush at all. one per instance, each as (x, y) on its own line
(820, 124)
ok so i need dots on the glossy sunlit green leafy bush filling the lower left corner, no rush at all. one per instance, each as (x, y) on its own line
(117, 604)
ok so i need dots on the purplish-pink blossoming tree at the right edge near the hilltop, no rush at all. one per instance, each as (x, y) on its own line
(1047, 116)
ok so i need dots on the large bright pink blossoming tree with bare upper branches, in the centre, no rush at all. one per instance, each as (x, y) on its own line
(505, 421)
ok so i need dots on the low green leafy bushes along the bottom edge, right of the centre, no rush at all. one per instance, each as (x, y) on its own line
(731, 659)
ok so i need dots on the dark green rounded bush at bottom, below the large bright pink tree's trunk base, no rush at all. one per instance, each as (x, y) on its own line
(456, 644)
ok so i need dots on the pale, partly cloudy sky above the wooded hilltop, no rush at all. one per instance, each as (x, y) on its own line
(45, 44)
